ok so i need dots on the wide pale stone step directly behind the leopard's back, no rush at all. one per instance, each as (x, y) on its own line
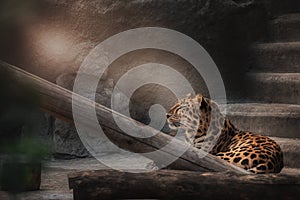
(276, 120)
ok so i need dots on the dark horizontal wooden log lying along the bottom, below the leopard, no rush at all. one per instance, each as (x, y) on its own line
(176, 184)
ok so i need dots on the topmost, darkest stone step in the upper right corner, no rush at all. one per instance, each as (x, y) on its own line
(285, 28)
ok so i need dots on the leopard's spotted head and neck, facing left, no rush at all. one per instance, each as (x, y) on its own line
(193, 116)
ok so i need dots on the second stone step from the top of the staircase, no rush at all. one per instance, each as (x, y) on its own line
(275, 57)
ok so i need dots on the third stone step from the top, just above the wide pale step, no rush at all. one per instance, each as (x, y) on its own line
(274, 87)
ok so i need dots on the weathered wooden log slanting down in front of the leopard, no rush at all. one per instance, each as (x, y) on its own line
(58, 102)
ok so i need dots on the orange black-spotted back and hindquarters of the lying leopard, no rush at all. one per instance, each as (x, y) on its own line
(256, 153)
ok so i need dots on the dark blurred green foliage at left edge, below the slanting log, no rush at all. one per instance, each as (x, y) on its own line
(21, 150)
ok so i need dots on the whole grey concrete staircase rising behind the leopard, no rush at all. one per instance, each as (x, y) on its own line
(273, 92)
